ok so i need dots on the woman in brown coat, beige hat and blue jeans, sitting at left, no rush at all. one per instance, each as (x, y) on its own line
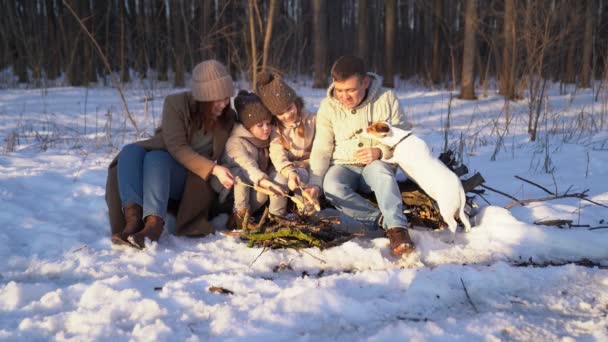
(176, 165)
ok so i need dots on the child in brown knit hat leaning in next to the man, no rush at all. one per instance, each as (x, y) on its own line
(292, 138)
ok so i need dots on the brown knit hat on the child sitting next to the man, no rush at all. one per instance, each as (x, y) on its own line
(274, 93)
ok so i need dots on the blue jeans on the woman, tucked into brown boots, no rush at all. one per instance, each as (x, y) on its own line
(150, 179)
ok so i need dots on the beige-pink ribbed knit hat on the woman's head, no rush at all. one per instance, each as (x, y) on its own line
(211, 81)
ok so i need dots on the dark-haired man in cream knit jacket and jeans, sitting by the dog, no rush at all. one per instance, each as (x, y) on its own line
(343, 163)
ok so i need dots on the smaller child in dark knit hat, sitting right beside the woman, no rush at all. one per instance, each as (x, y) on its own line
(247, 157)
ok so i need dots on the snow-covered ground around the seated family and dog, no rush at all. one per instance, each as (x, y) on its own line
(61, 279)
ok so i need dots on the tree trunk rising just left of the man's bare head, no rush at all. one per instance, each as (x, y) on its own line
(320, 43)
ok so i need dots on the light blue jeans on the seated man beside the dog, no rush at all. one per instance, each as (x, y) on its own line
(342, 182)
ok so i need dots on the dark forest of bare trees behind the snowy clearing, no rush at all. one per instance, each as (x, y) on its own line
(450, 43)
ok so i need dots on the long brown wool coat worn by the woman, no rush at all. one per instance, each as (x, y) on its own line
(174, 135)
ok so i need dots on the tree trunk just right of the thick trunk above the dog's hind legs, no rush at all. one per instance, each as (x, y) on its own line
(507, 81)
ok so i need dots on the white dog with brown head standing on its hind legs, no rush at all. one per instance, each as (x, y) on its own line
(414, 157)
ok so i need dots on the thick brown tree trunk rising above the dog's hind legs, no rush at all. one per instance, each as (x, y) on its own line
(467, 85)
